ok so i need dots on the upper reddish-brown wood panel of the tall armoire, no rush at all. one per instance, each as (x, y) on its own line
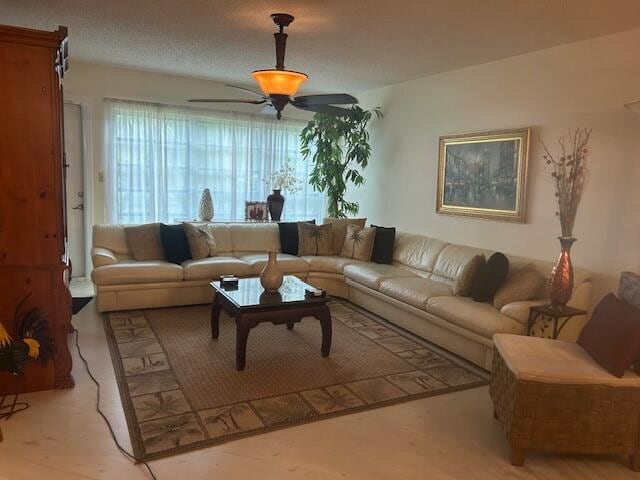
(31, 232)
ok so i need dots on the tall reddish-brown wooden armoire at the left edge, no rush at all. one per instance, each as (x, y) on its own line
(33, 245)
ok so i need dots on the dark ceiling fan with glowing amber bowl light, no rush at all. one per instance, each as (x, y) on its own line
(280, 85)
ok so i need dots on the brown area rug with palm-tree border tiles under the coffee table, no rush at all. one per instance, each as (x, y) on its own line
(181, 391)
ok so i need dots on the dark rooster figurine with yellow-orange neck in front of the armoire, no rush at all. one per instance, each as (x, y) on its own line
(34, 341)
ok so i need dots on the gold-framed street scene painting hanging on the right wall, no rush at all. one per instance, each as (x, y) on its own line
(484, 175)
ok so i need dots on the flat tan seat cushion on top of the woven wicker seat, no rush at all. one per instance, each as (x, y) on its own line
(555, 361)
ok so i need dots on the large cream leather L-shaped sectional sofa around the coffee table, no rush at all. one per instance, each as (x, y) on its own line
(415, 293)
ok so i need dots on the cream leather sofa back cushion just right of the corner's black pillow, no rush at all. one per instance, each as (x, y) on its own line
(417, 252)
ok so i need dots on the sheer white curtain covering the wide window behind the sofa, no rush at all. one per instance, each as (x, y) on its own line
(159, 159)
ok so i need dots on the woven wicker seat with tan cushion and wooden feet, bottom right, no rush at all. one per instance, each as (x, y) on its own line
(551, 396)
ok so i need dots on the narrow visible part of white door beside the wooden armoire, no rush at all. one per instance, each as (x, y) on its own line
(73, 139)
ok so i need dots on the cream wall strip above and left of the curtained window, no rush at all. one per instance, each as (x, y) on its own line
(92, 83)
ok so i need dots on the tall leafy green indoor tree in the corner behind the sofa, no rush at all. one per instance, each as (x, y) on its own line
(338, 147)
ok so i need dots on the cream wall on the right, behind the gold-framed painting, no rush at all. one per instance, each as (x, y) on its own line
(583, 84)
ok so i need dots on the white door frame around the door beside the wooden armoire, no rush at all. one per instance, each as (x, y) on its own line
(87, 175)
